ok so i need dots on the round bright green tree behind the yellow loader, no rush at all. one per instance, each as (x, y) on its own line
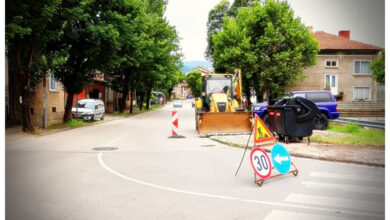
(270, 45)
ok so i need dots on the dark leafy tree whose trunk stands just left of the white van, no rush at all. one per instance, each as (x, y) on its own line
(90, 38)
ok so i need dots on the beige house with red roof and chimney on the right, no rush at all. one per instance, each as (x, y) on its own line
(343, 67)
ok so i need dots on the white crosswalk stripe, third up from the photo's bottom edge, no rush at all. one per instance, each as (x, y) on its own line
(345, 187)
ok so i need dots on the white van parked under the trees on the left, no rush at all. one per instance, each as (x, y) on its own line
(89, 109)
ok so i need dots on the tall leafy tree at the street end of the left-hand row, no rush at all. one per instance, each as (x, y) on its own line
(148, 55)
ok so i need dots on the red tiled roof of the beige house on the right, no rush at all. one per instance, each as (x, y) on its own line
(334, 42)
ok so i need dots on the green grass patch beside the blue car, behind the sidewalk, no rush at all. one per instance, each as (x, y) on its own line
(356, 136)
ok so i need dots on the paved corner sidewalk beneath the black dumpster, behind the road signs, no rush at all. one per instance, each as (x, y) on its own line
(366, 155)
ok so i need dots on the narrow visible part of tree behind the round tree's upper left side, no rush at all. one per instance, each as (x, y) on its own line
(214, 23)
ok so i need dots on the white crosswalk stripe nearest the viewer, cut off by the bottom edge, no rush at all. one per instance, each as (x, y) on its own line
(278, 214)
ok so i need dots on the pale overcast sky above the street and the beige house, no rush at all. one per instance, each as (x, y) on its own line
(364, 18)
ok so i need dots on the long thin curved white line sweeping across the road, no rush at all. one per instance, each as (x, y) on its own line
(214, 196)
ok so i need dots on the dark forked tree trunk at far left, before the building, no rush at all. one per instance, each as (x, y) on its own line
(24, 83)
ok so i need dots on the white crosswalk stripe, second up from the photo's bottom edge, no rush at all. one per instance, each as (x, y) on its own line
(336, 202)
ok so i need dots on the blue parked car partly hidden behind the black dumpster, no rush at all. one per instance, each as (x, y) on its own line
(324, 100)
